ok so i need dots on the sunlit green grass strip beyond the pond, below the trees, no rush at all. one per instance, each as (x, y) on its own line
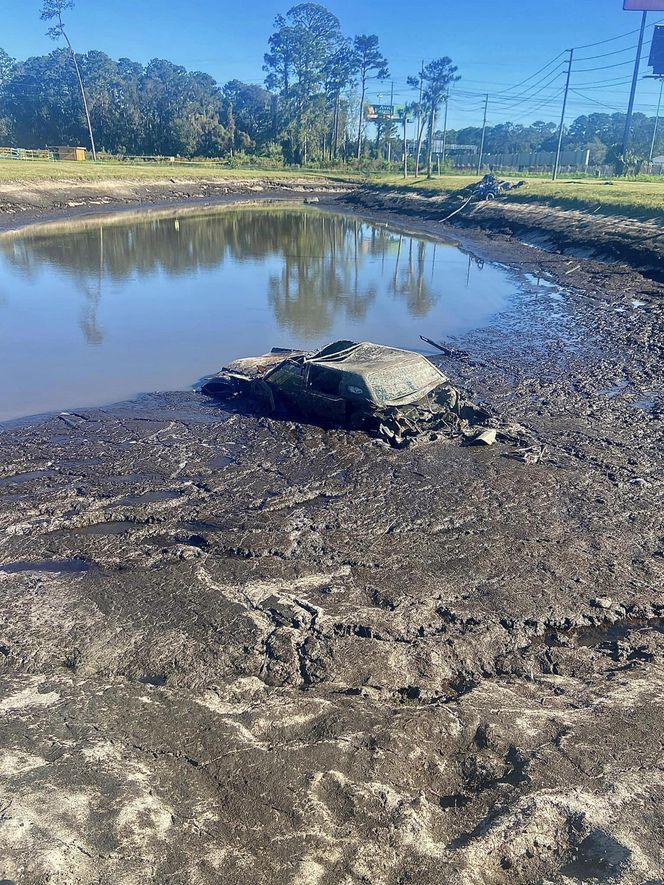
(640, 198)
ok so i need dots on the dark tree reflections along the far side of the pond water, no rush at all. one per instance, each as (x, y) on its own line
(324, 260)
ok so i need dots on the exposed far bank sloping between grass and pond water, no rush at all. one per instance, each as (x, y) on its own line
(633, 238)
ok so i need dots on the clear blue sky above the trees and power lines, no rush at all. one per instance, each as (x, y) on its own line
(496, 44)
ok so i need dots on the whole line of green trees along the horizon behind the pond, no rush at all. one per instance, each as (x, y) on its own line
(311, 107)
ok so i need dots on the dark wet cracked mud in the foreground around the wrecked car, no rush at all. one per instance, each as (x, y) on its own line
(238, 649)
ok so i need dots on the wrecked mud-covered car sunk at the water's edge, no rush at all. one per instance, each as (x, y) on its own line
(395, 394)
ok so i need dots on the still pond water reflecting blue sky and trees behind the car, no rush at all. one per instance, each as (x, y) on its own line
(95, 314)
